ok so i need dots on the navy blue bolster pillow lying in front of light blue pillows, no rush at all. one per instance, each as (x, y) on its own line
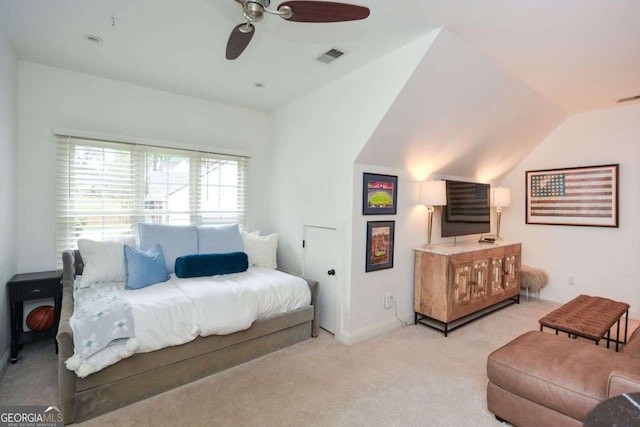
(199, 265)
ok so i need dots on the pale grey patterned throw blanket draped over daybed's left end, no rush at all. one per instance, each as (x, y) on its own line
(103, 329)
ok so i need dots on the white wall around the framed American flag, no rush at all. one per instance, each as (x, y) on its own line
(602, 261)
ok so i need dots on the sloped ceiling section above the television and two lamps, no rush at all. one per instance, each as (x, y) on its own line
(460, 115)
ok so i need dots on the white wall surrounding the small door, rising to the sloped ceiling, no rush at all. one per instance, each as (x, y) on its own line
(315, 141)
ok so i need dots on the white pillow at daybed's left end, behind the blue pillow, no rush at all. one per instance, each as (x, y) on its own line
(103, 261)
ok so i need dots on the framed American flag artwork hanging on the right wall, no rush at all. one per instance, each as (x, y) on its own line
(573, 196)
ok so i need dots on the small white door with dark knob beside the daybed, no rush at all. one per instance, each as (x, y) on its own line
(320, 264)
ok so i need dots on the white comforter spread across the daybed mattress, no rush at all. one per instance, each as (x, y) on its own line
(177, 311)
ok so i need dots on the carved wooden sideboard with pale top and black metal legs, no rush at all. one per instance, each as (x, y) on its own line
(454, 285)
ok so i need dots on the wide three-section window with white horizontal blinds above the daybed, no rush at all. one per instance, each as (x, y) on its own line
(104, 189)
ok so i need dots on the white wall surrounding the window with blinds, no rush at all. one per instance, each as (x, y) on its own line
(54, 98)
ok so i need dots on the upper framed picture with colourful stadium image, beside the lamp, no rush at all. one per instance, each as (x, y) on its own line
(379, 194)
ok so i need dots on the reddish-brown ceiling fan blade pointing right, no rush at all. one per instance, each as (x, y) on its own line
(323, 11)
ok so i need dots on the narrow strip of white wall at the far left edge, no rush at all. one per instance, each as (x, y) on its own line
(8, 144)
